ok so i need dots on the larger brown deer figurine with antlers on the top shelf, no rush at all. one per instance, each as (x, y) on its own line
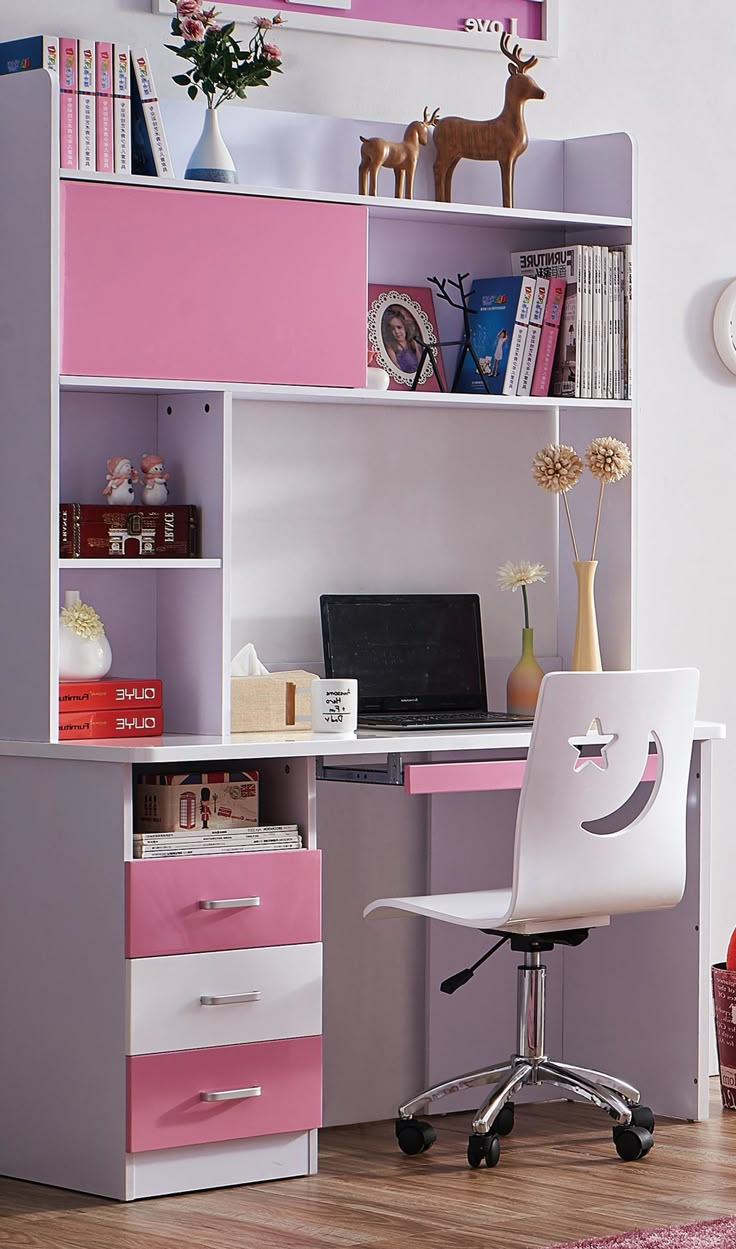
(503, 138)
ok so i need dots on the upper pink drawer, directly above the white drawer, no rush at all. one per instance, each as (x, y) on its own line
(222, 902)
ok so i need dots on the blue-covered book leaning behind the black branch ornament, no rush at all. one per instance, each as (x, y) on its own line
(502, 308)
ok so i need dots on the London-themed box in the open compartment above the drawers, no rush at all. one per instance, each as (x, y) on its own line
(167, 802)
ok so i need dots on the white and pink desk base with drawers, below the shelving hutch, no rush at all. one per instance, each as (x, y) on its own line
(168, 1026)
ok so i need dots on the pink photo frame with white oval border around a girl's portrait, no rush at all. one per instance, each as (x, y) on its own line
(400, 322)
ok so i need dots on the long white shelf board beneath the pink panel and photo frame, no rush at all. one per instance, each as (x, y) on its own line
(331, 394)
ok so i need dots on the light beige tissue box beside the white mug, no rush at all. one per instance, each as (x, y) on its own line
(278, 701)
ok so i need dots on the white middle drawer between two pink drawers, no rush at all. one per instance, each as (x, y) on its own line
(228, 997)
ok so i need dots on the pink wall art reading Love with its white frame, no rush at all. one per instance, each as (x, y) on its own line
(444, 23)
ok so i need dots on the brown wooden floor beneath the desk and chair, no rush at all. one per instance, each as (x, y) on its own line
(559, 1180)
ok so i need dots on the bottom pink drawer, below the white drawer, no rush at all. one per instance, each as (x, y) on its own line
(166, 1106)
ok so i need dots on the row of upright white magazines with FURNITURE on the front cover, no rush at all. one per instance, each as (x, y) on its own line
(593, 359)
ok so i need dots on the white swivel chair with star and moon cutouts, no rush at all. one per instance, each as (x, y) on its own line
(589, 845)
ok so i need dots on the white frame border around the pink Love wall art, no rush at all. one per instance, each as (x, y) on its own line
(484, 37)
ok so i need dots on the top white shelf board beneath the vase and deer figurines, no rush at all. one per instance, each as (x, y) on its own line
(382, 207)
